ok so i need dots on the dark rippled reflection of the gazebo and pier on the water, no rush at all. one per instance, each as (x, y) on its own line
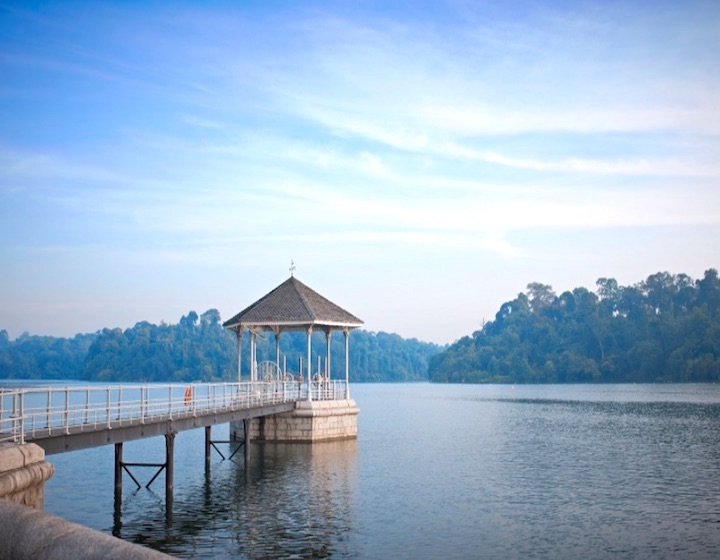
(281, 500)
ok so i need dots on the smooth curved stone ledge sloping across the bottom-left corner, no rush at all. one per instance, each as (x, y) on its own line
(28, 534)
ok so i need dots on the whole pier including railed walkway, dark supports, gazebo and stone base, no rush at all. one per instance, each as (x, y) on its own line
(273, 405)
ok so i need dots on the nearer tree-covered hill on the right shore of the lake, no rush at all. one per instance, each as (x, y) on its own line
(664, 329)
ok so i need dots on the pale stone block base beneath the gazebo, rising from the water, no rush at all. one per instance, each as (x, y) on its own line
(310, 422)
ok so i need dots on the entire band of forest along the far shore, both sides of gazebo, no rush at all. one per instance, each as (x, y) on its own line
(663, 329)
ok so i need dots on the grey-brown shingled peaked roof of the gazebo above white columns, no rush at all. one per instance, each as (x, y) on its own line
(292, 305)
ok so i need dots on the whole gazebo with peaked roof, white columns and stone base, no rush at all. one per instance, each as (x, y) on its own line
(326, 411)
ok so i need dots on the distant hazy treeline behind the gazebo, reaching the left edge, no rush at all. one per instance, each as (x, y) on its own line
(199, 349)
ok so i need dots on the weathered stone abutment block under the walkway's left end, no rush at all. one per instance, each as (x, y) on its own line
(23, 472)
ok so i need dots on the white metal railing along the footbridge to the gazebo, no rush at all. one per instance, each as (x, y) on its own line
(27, 414)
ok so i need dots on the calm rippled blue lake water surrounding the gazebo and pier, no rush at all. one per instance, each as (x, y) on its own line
(437, 471)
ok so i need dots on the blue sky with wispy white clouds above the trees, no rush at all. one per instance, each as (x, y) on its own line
(420, 162)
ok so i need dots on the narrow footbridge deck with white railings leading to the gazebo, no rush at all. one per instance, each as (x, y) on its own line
(75, 417)
